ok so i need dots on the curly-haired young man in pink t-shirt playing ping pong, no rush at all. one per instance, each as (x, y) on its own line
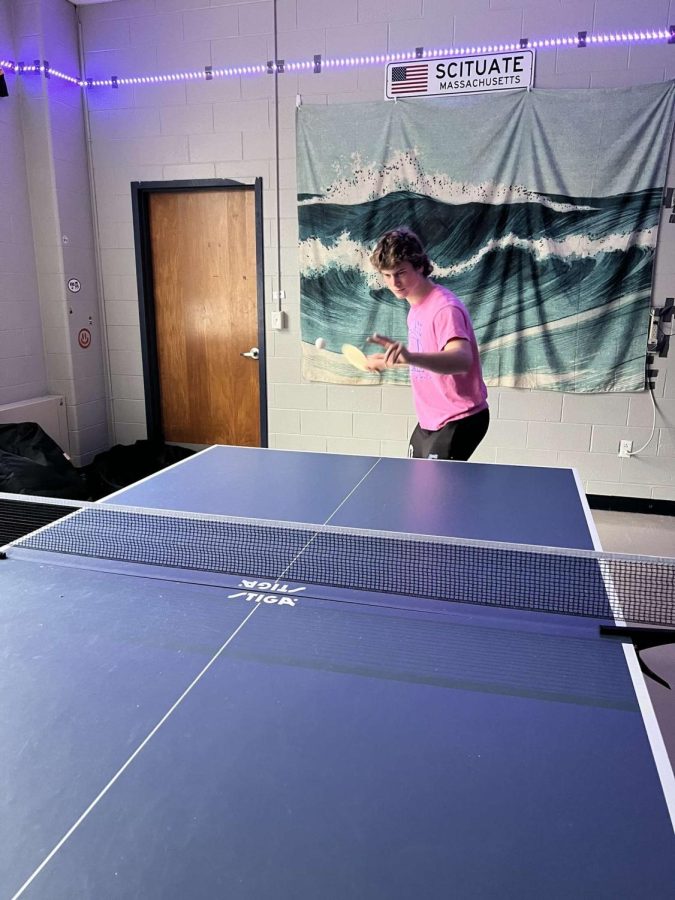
(445, 372)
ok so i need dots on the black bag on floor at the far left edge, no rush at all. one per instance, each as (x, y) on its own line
(32, 463)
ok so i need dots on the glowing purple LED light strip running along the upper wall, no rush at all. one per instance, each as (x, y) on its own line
(622, 37)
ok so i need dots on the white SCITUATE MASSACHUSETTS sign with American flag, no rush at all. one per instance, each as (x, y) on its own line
(451, 75)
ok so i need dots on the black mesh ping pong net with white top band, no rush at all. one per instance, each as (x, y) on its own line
(619, 587)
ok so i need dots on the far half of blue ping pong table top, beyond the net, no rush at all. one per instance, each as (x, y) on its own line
(522, 504)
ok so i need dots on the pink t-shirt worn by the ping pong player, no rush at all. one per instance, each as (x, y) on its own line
(439, 399)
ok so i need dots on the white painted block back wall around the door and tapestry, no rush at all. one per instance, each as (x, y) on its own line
(225, 128)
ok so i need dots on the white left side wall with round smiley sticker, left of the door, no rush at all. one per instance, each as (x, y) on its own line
(51, 177)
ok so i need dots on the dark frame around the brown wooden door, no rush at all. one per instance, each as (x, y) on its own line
(140, 202)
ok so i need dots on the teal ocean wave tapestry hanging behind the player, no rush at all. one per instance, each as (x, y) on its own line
(539, 209)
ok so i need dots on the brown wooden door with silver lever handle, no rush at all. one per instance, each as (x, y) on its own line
(205, 300)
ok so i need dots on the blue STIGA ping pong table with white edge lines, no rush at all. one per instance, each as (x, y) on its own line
(172, 733)
